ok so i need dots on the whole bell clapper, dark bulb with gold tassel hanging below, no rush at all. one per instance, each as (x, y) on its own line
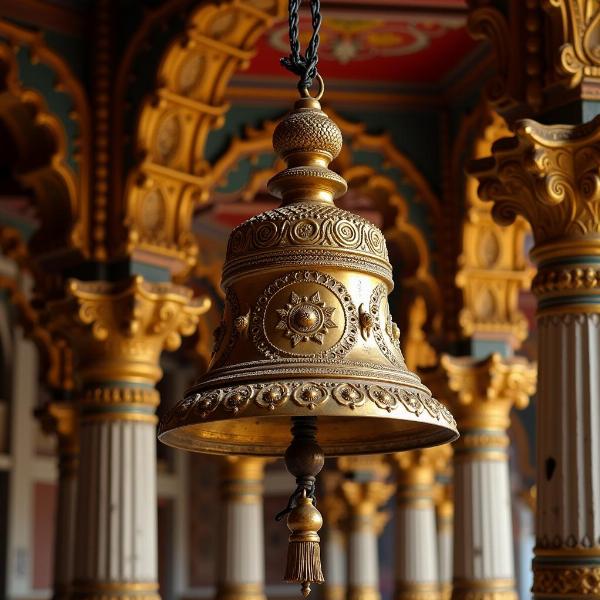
(304, 460)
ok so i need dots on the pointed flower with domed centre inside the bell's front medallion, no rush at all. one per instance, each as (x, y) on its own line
(306, 319)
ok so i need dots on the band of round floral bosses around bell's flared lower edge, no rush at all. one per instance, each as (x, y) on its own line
(307, 394)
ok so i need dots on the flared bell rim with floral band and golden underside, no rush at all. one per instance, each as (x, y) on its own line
(189, 420)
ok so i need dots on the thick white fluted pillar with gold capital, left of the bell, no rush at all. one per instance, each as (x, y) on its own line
(117, 332)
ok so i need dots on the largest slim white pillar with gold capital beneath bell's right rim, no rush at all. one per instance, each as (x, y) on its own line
(417, 576)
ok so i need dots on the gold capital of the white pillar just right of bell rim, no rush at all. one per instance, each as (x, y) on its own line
(486, 390)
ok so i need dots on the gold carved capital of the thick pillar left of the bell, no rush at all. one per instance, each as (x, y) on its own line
(119, 329)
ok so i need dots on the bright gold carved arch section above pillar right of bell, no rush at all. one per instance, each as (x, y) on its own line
(493, 267)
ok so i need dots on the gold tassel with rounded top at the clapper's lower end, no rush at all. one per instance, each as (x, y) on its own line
(304, 553)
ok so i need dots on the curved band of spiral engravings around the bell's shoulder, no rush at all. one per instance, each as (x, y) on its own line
(307, 224)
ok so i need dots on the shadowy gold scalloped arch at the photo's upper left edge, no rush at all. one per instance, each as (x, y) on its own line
(35, 147)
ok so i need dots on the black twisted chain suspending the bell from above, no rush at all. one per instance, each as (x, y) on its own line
(303, 66)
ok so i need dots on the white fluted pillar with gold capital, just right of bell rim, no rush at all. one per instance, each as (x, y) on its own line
(483, 541)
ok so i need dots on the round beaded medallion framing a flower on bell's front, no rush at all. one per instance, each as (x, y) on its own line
(338, 350)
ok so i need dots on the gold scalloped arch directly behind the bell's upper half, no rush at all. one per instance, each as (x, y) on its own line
(420, 302)
